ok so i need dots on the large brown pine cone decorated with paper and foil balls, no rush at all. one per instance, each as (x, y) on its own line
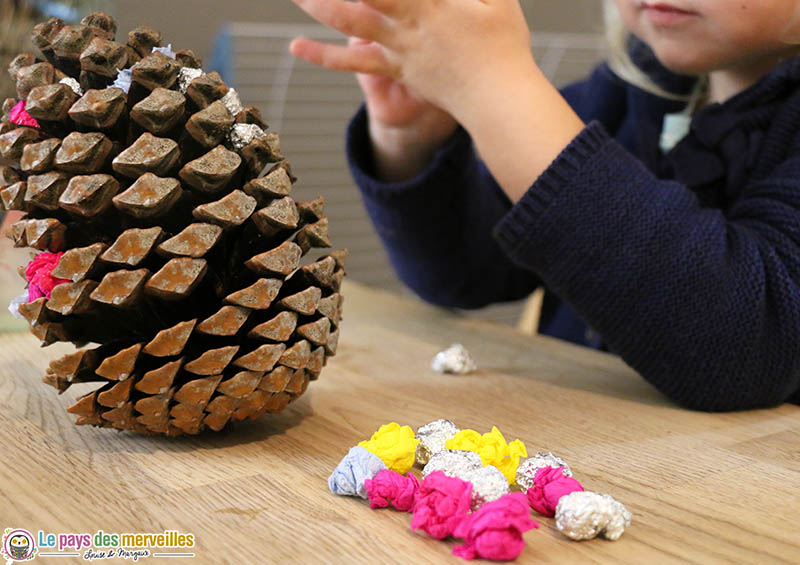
(183, 246)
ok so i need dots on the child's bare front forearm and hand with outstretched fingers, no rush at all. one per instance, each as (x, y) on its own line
(471, 58)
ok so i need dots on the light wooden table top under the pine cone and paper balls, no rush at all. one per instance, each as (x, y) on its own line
(702, 487)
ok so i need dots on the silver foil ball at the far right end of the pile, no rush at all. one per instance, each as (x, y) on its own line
(584, 515)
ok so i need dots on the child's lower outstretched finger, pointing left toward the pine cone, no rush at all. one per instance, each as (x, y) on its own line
(367, 58)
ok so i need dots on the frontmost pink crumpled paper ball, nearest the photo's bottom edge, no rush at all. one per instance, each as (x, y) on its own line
(495, 530)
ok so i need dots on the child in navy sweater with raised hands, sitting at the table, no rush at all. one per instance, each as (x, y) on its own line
(685, 259)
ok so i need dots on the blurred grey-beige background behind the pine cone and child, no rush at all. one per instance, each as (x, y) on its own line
(246, 41)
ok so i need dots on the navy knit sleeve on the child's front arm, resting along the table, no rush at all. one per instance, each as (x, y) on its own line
(704, 303)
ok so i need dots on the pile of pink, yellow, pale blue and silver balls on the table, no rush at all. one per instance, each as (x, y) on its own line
(476, 487)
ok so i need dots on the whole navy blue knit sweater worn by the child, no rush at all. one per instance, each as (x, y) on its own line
(687, 264)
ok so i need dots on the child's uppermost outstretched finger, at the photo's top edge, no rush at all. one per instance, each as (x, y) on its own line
(350, 18)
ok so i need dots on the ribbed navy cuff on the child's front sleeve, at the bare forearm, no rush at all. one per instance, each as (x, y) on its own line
(514, 229)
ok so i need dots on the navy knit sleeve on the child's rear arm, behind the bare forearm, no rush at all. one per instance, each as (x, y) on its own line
(437, 227)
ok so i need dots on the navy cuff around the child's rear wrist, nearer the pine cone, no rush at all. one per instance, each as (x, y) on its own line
(448, 161)
